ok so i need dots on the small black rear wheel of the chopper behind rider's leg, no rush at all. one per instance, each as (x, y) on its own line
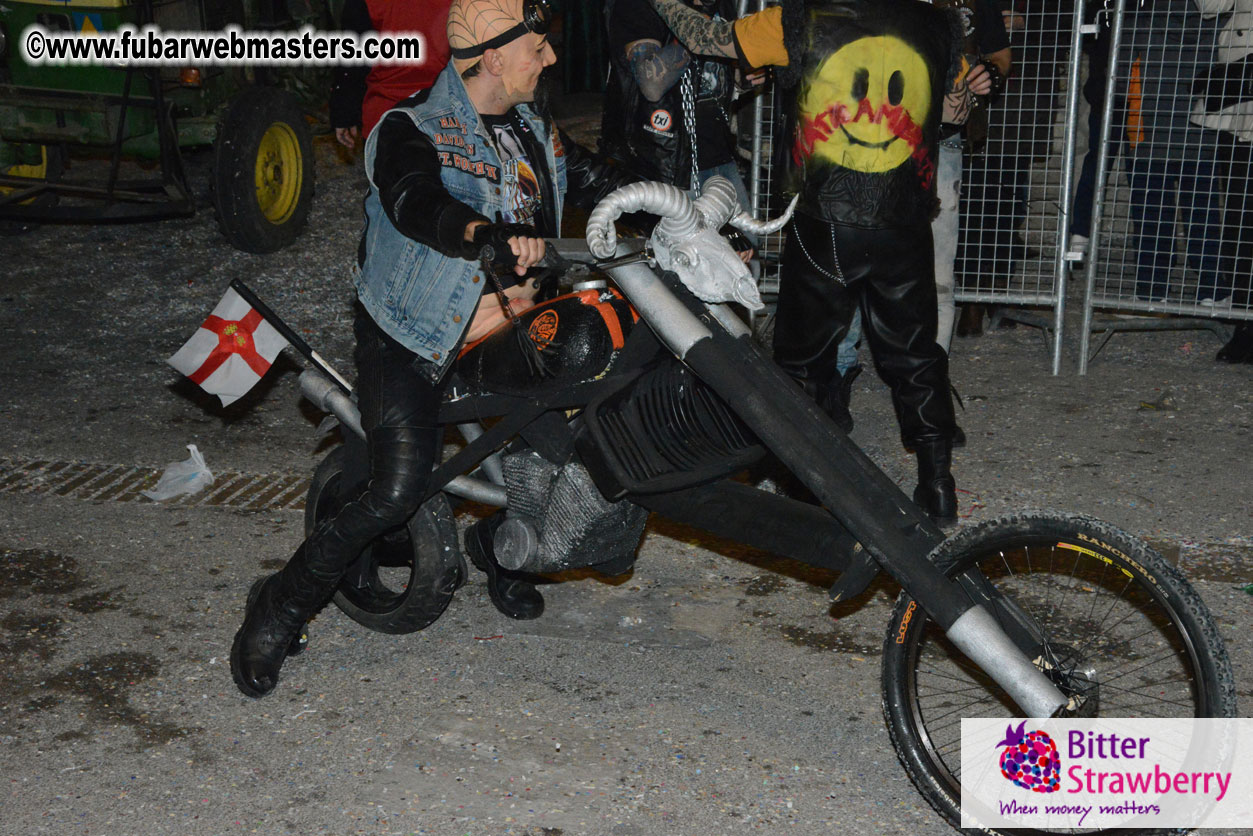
(405, 580)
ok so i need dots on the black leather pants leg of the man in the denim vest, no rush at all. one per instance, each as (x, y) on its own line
(399, 412)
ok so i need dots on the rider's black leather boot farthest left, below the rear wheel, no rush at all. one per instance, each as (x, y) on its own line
(274, 625)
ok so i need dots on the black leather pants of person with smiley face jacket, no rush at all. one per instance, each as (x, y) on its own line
(892, 275)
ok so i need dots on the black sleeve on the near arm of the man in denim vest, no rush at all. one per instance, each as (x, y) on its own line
(408, 177)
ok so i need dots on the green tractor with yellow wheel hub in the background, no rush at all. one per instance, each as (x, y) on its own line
(130, 126)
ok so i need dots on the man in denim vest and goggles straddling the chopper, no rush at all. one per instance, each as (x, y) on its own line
(462, 166)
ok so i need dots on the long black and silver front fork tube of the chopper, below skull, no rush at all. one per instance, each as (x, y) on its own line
(898, 535)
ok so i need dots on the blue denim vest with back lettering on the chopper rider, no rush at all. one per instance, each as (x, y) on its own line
(419, 296)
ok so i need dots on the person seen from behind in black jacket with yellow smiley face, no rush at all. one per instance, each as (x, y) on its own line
(865, 85)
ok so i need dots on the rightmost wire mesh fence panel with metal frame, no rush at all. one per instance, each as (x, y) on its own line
(1173, 125)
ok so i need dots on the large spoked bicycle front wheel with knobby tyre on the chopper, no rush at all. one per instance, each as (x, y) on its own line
(1120, 631)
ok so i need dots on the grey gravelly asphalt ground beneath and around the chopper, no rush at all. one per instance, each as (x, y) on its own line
(714, 691)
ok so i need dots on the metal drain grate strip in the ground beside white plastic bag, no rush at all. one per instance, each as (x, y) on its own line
(123, 484)
